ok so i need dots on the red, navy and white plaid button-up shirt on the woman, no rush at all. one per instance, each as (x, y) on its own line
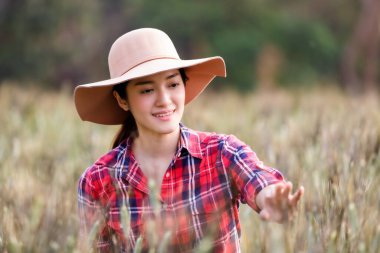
(197, 203)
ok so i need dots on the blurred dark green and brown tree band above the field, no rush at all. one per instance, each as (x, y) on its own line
(269, 43)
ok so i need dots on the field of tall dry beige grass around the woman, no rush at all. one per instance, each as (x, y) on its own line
(322, 139)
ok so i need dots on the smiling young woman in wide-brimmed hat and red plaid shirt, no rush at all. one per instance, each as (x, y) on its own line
(163, 184)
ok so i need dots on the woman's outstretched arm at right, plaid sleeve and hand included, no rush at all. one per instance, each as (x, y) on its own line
(262, 187)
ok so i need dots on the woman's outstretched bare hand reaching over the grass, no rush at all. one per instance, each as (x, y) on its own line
(278, 203)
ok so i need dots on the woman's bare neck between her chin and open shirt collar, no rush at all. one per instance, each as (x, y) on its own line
(157, 145)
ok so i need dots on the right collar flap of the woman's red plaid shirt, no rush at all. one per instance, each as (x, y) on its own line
(190, 141)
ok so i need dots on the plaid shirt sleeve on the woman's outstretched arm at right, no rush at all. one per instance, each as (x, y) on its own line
(249, 175)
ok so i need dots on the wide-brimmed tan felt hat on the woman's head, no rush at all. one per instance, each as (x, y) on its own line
(140, 53)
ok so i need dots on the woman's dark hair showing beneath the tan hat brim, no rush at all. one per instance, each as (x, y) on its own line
(129, 127)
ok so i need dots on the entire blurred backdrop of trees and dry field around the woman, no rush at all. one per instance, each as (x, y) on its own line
(302, 91)
